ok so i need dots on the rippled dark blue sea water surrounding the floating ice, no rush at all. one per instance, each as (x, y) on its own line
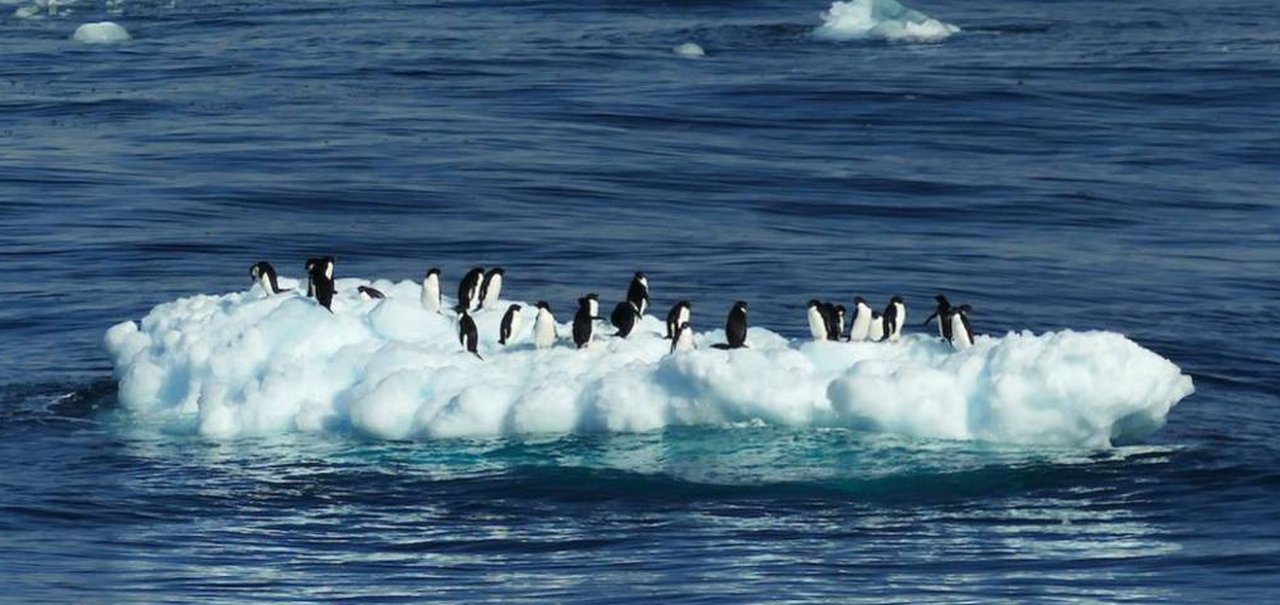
(1077, 164)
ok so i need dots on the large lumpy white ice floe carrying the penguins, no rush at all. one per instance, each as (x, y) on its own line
(248, 364)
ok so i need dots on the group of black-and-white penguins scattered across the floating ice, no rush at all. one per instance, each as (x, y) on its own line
(481, 290)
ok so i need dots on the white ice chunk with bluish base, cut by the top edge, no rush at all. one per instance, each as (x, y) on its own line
(881, 20)
